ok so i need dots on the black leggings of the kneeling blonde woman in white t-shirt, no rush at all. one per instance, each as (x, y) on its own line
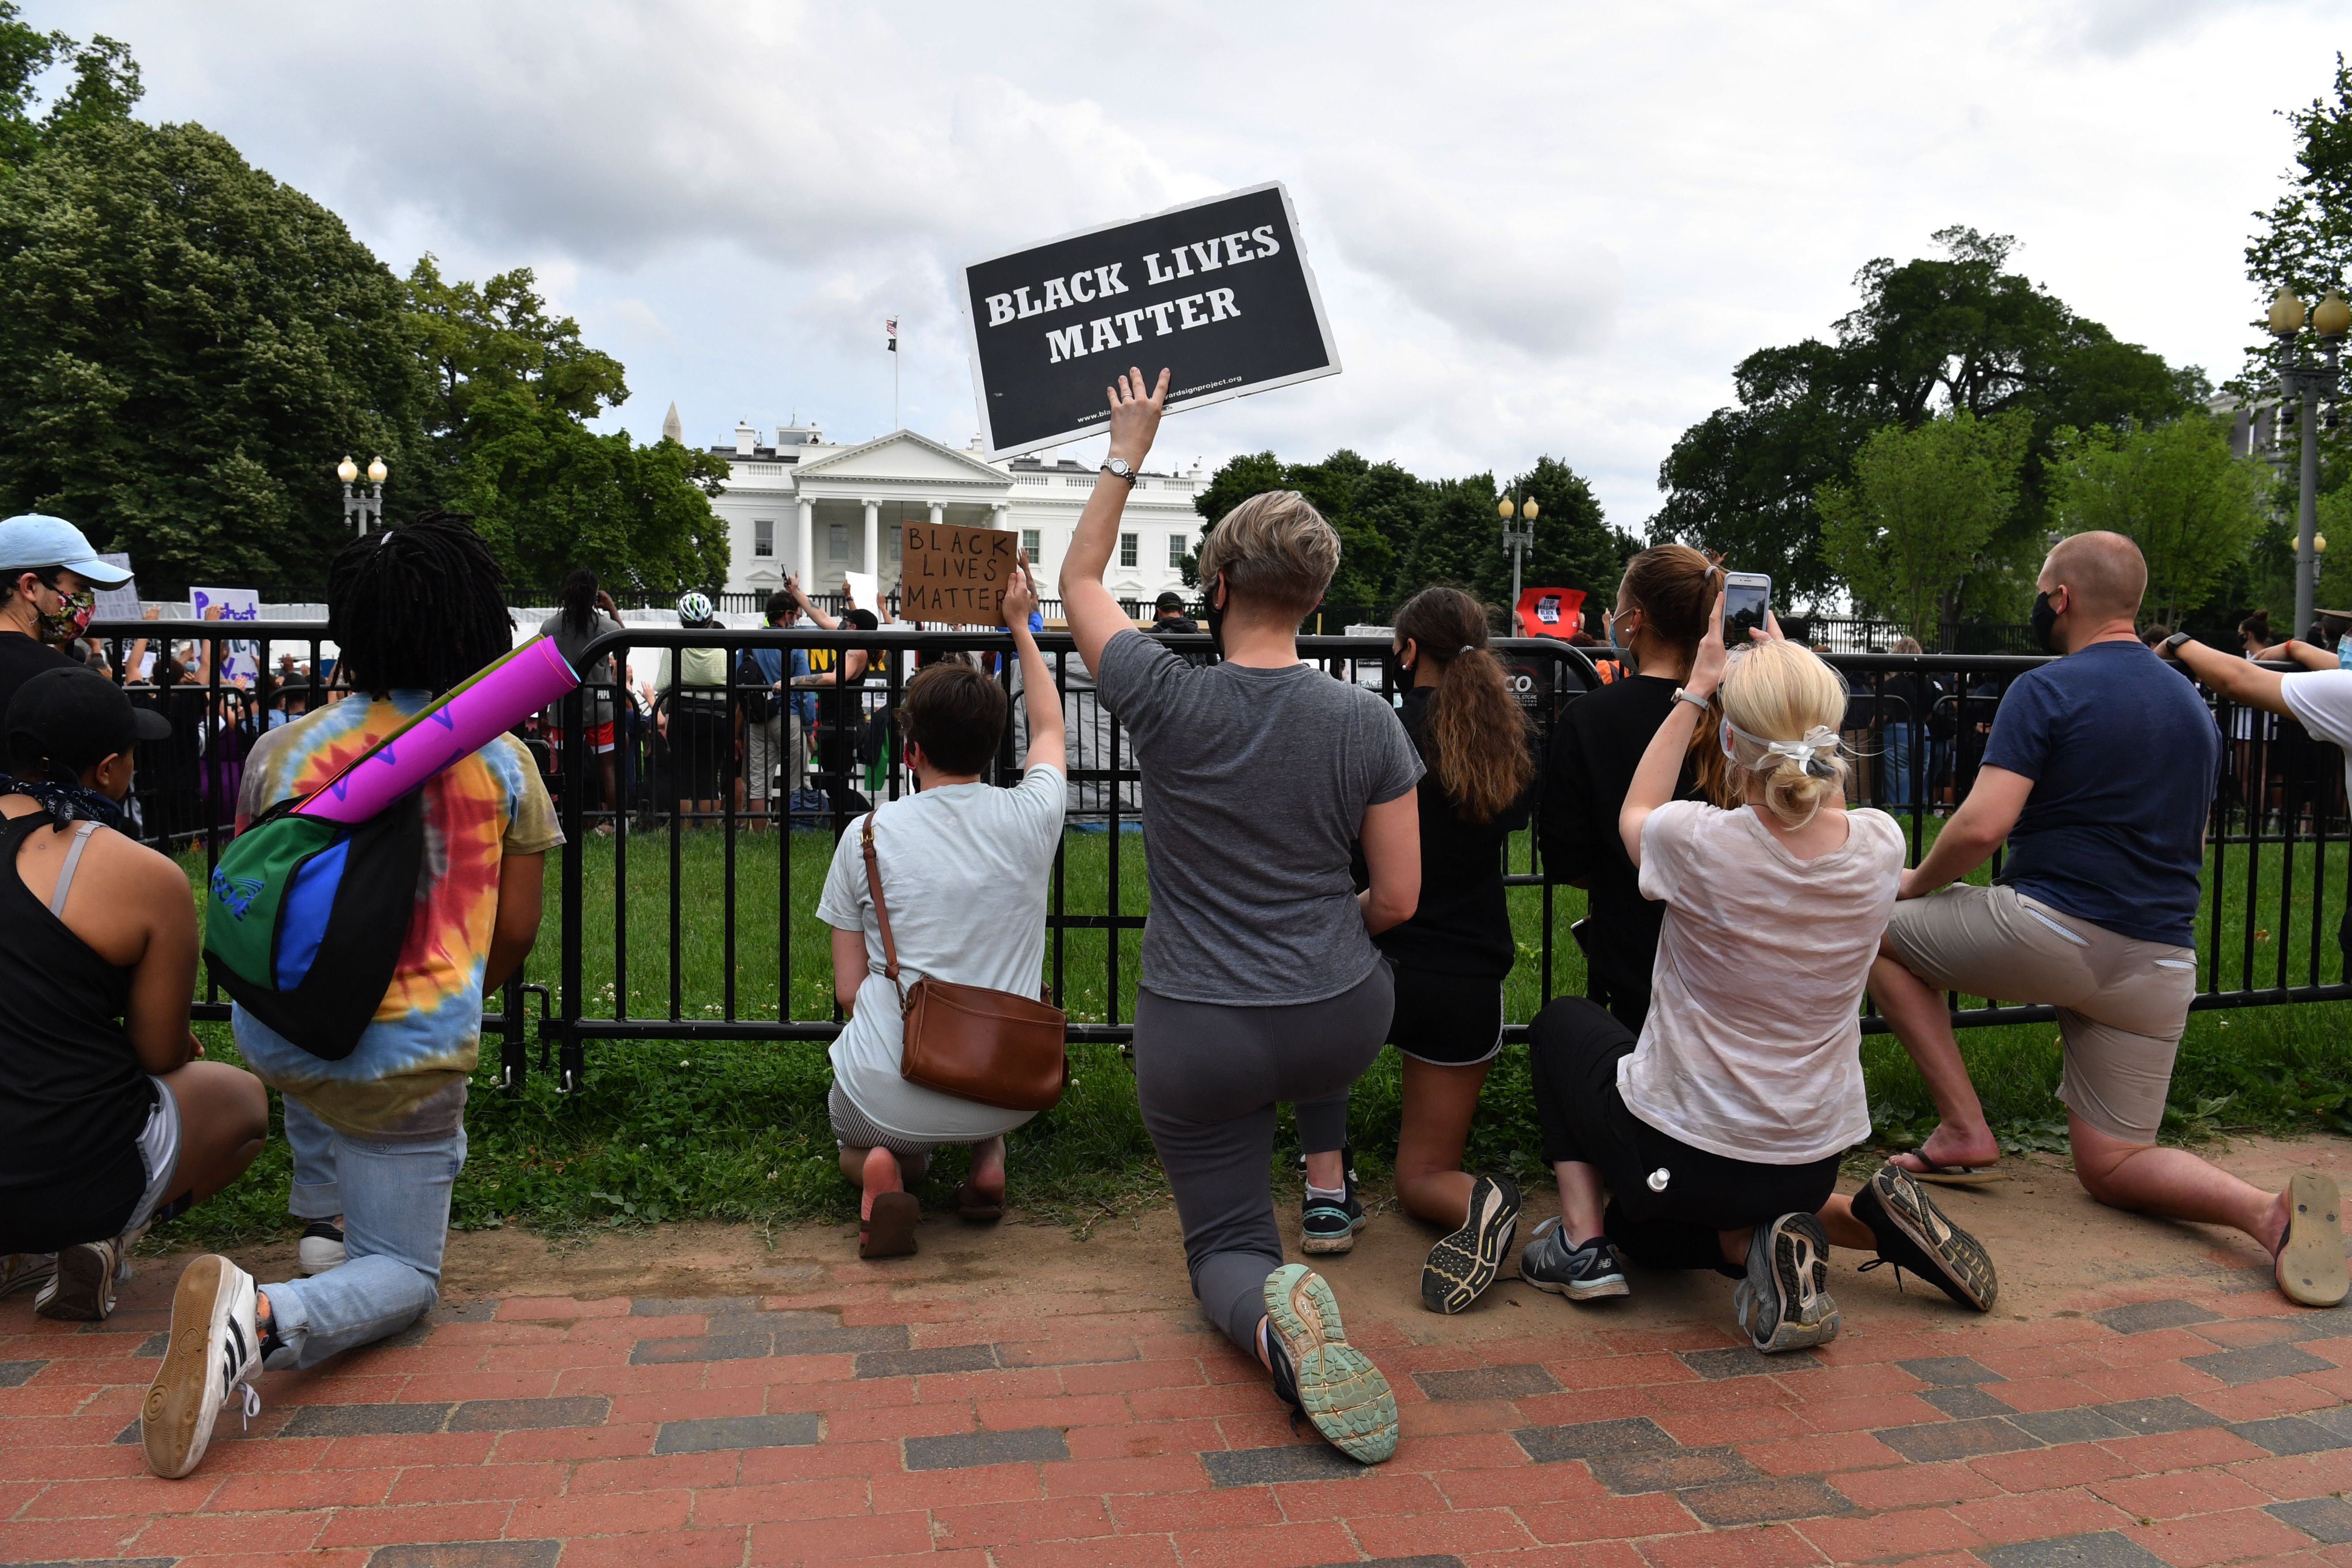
(1666, 1200)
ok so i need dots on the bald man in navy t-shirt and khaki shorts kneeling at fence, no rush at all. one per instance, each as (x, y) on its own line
(2099, 777)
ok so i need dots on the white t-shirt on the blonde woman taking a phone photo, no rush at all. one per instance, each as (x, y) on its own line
(1753, 1040)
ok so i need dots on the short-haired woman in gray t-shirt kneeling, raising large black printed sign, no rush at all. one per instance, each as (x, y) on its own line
(1259, 974)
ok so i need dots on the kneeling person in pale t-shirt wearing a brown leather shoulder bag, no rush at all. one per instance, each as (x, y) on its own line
(947, 852)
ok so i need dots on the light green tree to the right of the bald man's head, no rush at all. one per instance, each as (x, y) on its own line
(2174, 490)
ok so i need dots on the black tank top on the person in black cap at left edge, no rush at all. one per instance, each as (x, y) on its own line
(74, 1097)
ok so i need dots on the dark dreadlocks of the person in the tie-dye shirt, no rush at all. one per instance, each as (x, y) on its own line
(417, 608)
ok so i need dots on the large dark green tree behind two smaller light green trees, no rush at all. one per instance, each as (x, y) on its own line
(1927, 337)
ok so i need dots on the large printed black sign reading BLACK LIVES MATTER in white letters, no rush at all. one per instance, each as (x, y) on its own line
(1217, 293)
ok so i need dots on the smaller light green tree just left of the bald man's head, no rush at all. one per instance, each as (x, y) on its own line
(1923, 514)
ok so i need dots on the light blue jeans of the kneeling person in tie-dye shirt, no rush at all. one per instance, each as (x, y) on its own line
(396, 1221)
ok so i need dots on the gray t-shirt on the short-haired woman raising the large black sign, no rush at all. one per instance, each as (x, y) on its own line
(1255, 791)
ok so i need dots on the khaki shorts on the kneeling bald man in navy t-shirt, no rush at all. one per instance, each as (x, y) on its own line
(2123, 1003)
